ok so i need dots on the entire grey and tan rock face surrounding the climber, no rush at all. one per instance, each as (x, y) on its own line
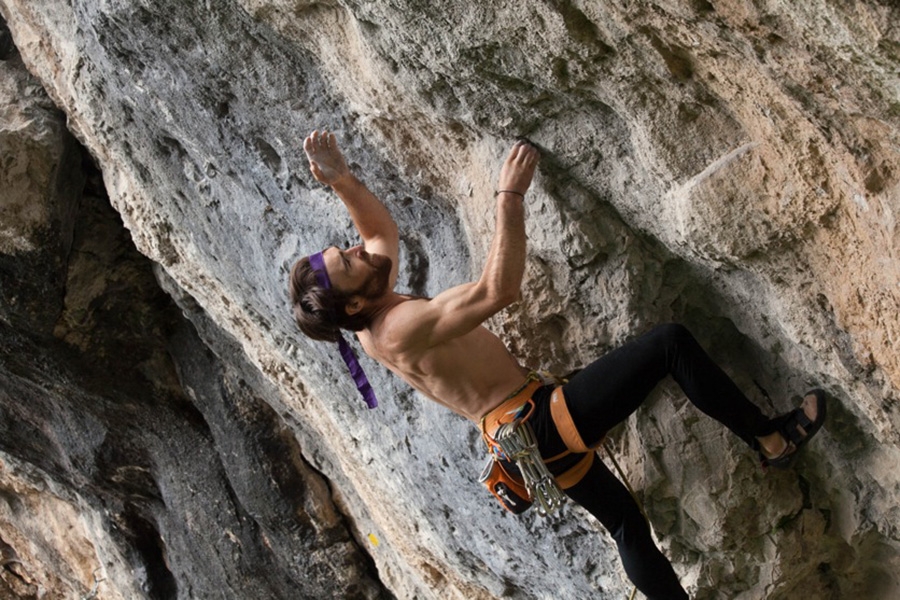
(166, 431)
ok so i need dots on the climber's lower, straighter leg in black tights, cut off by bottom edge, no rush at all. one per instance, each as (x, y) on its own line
(604, 496)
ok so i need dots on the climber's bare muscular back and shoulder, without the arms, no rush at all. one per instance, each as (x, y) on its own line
(470, 373)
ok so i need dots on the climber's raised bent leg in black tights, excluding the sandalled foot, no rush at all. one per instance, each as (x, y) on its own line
(607, 391)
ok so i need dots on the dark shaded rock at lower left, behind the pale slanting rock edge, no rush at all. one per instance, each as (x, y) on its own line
(113, 482)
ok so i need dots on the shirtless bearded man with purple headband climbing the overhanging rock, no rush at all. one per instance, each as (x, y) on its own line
(440, 347)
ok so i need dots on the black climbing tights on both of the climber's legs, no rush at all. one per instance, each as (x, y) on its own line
(604, 394)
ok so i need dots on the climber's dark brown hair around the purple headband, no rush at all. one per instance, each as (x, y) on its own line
(320, 312)
